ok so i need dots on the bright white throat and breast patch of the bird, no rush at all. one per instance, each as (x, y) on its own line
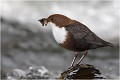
(60, 34)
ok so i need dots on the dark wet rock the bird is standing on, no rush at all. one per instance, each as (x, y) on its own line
(82, 71)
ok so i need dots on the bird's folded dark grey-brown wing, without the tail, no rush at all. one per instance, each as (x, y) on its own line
(81, 32)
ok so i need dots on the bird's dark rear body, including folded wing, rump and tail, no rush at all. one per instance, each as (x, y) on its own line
(84, 38)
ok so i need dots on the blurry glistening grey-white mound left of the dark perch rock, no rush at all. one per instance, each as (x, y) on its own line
(31, 73)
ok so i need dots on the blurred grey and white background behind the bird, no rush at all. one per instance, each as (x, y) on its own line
(24, 42)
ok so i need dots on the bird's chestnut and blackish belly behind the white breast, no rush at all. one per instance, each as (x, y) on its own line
(74, 45)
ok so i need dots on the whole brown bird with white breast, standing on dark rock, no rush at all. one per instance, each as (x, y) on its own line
(73, 35)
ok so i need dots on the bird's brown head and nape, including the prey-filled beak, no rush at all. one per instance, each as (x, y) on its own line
(57, 19)
